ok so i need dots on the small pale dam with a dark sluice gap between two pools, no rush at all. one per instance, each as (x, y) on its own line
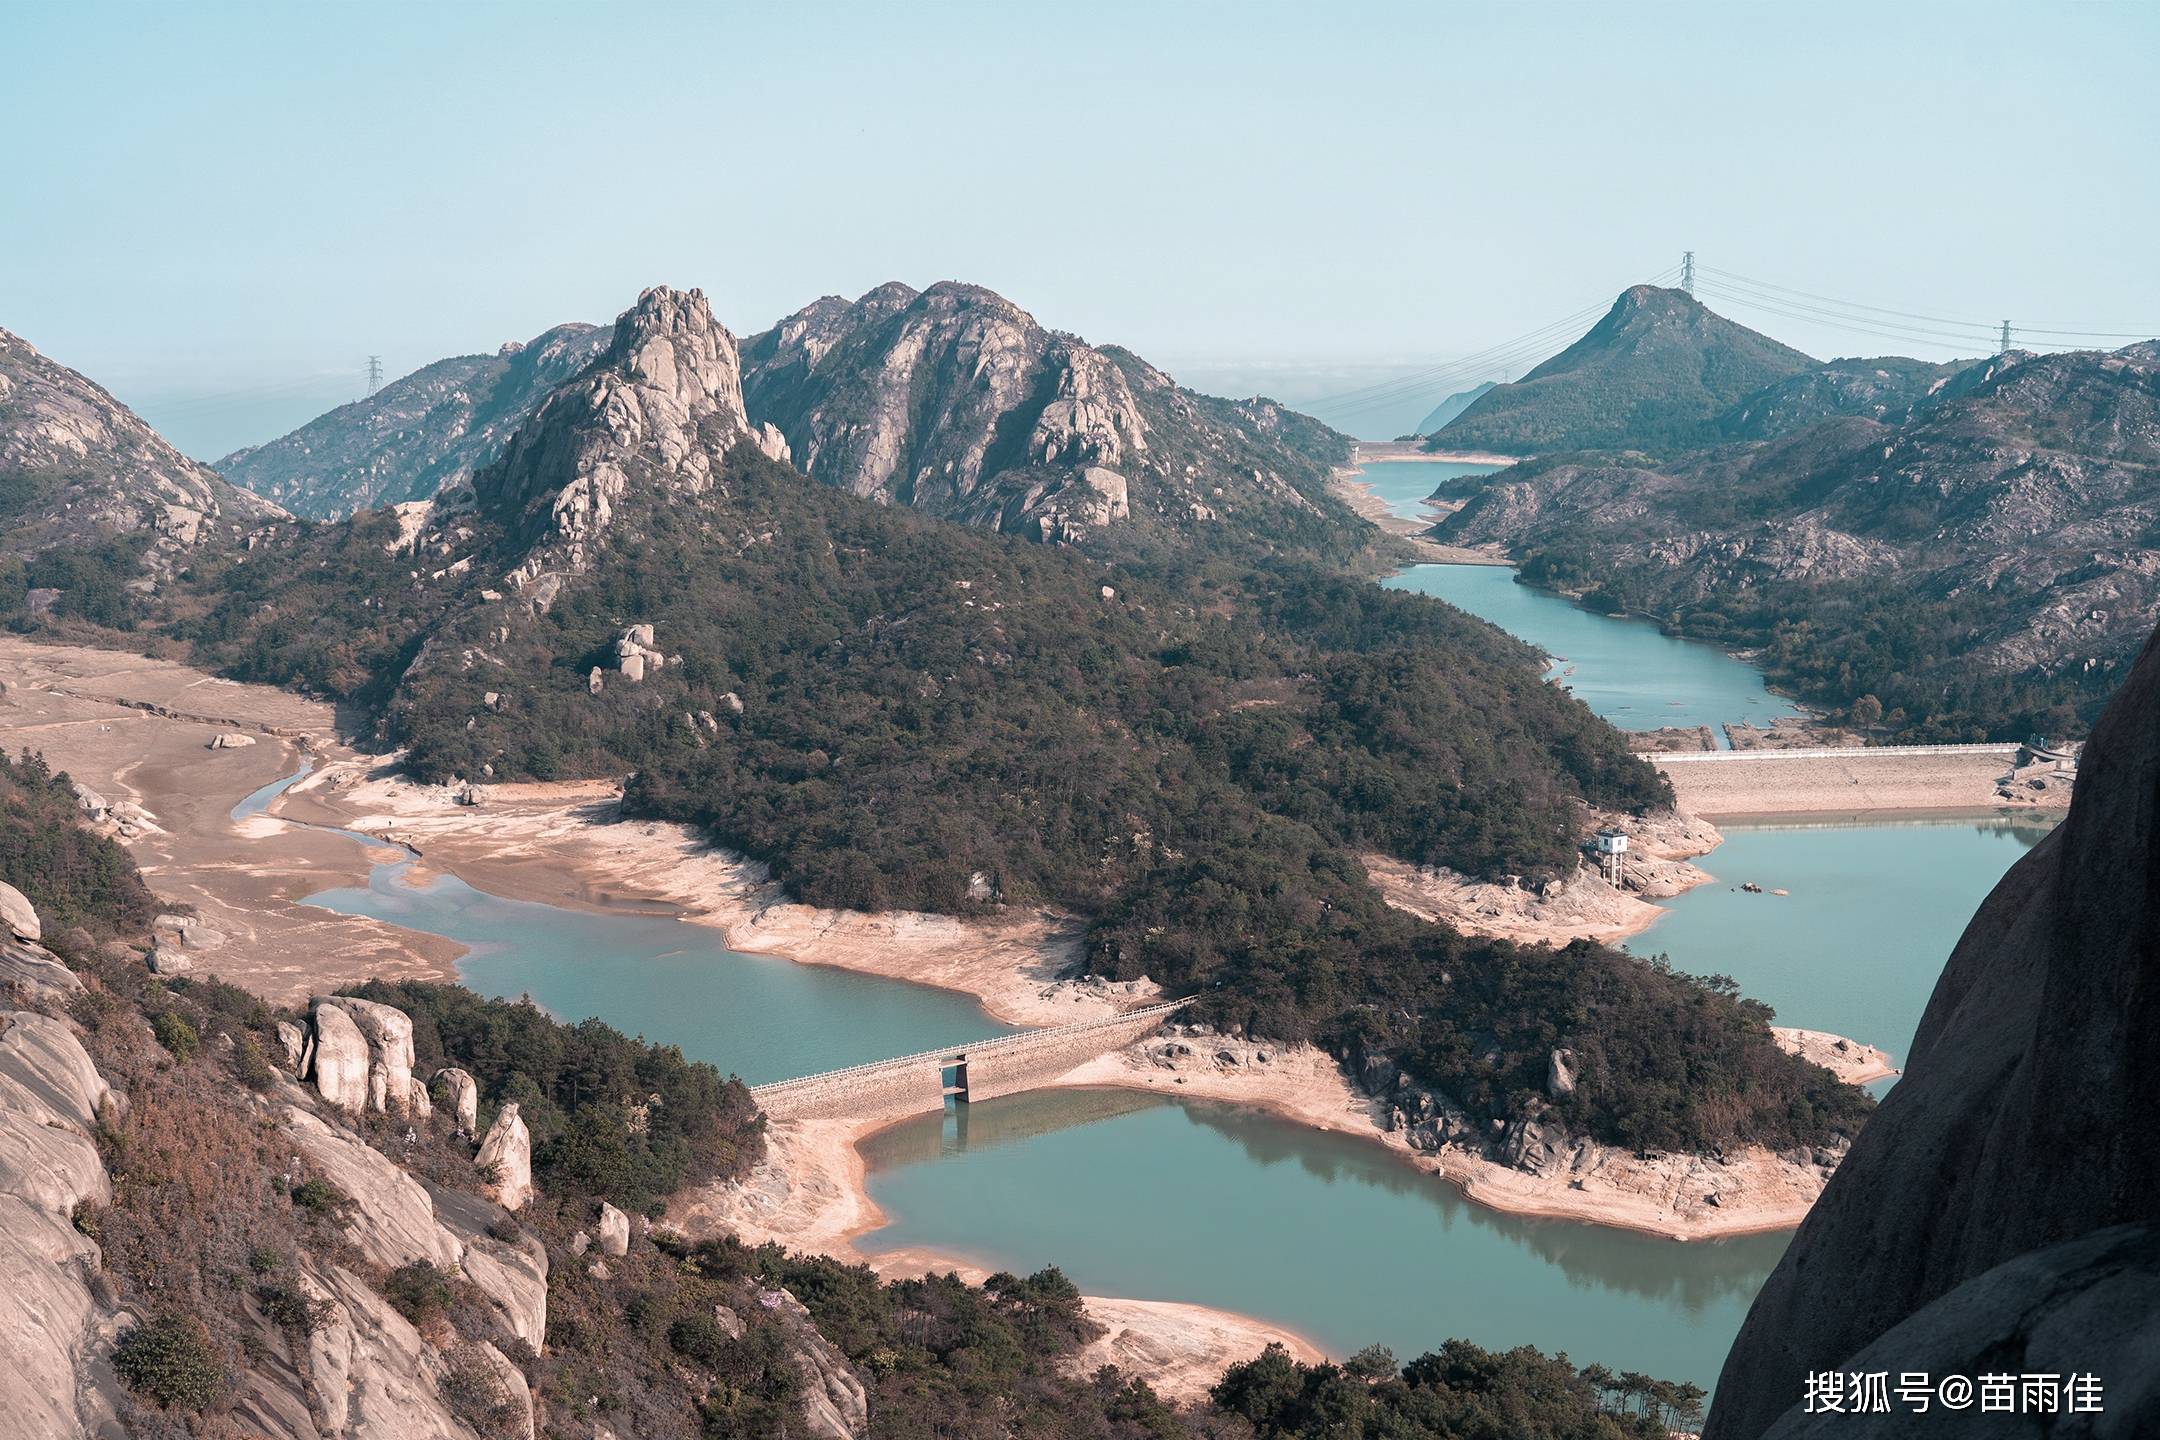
(921, 1083)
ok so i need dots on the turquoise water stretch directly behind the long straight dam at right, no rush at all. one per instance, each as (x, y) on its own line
(1625, 670)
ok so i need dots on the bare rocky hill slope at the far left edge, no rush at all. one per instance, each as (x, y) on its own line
(79, 470)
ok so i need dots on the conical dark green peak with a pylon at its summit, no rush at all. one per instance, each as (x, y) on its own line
(1653, 375)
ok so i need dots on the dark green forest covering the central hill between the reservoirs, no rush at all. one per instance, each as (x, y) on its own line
(1187, 752)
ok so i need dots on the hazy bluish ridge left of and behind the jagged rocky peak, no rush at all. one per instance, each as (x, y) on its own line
(420, 433)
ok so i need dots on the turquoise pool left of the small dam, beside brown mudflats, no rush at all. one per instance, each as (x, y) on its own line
(677, 983)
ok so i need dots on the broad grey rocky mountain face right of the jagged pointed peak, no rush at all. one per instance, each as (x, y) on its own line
(958, 403)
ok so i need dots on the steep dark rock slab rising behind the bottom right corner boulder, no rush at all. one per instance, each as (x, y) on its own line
(2025, 1115)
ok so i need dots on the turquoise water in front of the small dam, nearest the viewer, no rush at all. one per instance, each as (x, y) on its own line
(1329, 1236)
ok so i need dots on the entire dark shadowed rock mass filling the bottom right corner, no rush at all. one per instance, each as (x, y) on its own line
(2001, 1210)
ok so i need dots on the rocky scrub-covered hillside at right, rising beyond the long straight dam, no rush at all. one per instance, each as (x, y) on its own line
(1977, 567)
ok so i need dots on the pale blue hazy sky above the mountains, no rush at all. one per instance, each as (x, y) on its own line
(221, 210)
